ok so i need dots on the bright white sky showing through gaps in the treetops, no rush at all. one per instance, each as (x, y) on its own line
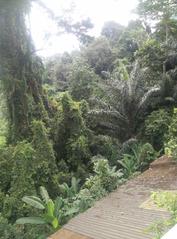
(99, 11)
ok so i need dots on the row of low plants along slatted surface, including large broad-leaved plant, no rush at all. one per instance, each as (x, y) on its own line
(74, 200)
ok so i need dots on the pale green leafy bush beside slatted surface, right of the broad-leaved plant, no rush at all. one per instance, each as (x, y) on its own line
(105, 180)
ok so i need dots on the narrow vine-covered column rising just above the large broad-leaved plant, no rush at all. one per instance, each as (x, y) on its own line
(45, 163)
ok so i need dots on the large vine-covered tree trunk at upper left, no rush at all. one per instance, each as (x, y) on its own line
(20, 69)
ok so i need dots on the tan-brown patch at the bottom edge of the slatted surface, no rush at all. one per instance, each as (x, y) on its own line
(67, 234)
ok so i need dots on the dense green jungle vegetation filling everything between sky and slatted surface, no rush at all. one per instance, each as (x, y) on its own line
(80, 124)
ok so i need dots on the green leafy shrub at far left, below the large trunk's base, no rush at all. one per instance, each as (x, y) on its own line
(21, 180)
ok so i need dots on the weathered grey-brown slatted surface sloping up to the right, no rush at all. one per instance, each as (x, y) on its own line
(127, 212)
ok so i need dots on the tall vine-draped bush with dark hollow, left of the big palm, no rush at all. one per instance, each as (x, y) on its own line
(71, 137)
